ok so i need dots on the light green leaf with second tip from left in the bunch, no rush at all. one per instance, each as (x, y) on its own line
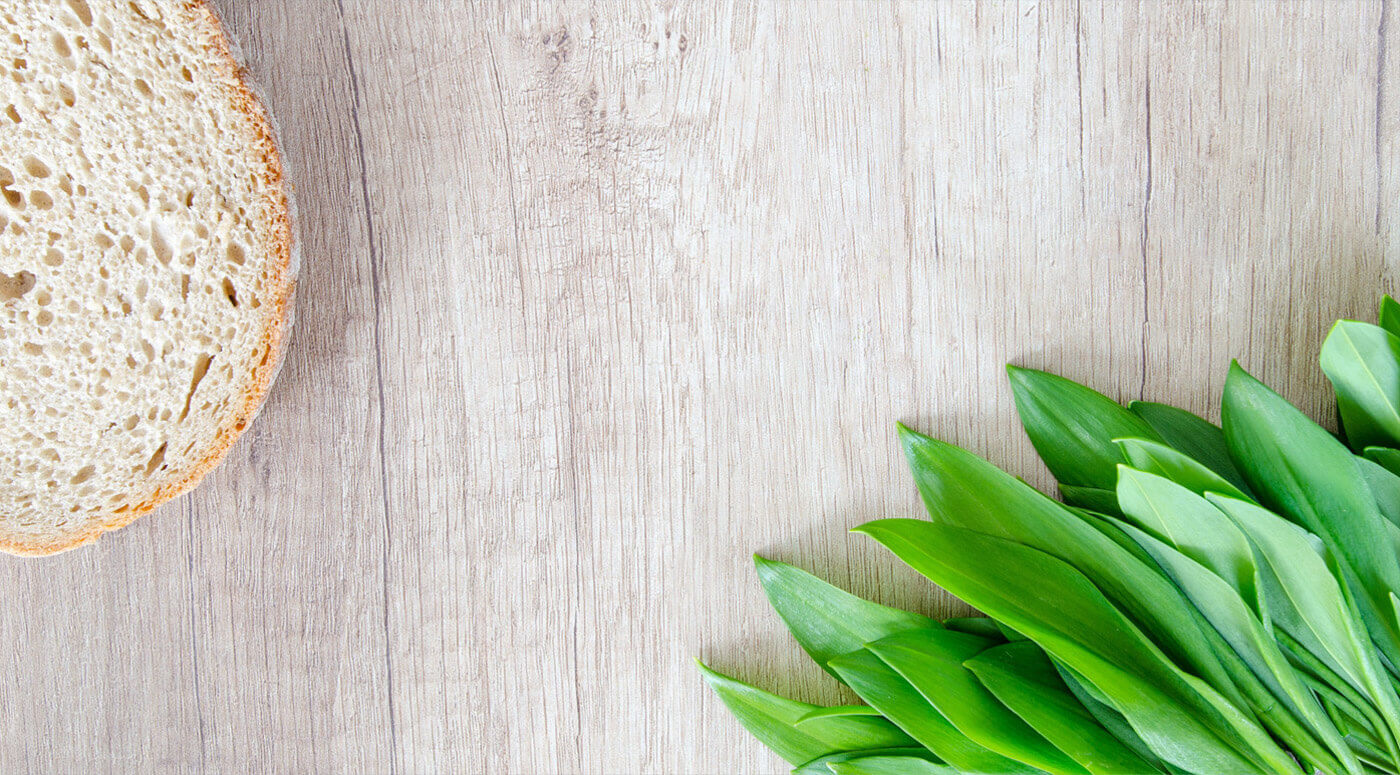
(825, 620)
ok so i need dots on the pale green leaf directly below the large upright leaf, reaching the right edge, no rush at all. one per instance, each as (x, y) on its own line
(1310, 605)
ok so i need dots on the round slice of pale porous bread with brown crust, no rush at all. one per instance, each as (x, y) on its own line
(146, 261)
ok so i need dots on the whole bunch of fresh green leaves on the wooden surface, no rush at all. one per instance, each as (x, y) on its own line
(1205, 599)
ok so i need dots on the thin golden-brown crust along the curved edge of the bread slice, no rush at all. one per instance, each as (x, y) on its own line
(282, 285)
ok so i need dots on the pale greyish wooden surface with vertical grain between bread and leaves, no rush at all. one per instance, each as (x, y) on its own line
(603, 297)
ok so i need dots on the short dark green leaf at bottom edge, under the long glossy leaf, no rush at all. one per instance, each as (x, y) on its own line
(1024, 681)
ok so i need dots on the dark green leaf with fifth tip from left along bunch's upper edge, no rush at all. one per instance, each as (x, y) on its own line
(1073, 427)
